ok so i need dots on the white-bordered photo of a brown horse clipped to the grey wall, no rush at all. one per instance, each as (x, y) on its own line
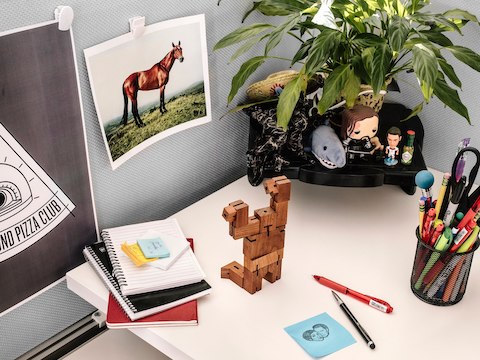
(151, 87)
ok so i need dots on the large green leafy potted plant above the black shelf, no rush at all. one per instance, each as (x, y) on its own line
(354, 42)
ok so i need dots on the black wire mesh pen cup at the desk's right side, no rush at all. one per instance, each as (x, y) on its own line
(440, 277)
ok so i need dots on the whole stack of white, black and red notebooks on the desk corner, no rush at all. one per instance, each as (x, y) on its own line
(149, 295)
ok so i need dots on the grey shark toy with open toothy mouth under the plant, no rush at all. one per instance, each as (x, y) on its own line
(327, 147)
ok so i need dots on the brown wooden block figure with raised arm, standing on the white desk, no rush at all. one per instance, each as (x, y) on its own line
(263, 237)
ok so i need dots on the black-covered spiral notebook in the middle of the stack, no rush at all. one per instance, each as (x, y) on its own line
(141, 305)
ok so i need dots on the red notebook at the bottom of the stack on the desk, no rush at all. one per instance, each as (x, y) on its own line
(185, 314)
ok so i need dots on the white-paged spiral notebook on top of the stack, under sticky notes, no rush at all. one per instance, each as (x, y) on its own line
(133, 279)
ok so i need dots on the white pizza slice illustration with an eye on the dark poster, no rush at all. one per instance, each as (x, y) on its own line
(31, 203)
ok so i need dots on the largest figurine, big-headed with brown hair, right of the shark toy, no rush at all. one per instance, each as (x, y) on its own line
(359, 131)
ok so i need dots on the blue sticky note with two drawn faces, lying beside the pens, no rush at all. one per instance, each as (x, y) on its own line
(320, 335)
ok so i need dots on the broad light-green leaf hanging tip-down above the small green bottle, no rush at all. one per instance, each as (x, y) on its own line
(425, 65)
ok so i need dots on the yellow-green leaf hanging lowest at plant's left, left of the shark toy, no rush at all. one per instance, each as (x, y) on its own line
(288, 100)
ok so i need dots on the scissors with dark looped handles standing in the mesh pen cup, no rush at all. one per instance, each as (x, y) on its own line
(465, 201)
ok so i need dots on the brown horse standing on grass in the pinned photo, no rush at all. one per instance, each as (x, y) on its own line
(154, 78)
